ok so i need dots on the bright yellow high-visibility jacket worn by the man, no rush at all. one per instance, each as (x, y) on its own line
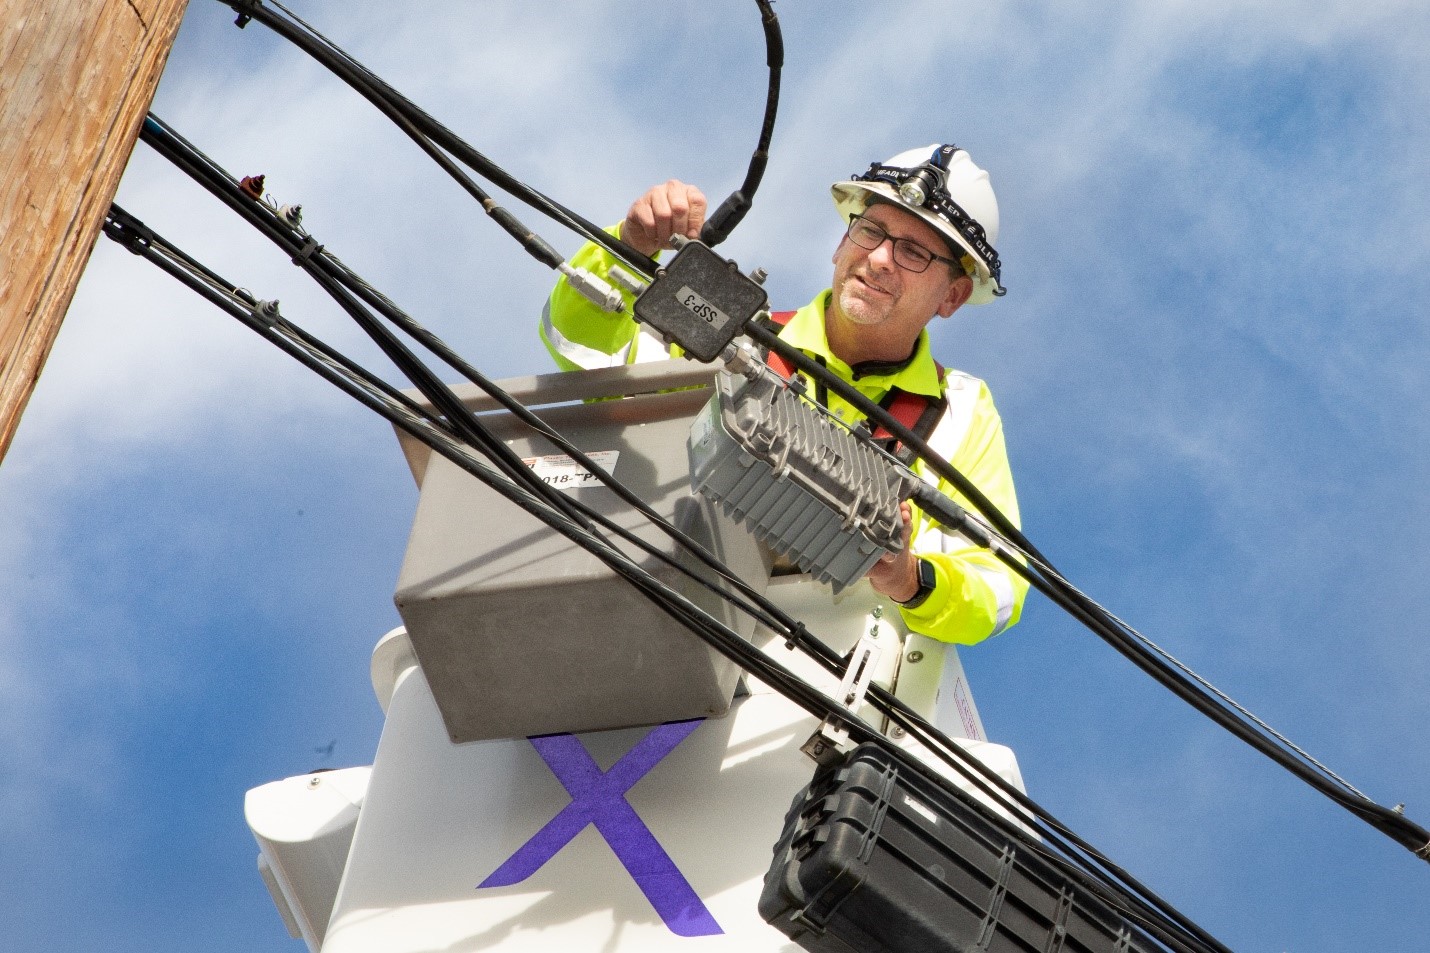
(977, 596)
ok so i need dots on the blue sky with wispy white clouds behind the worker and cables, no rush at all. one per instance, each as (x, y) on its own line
(1210, 366)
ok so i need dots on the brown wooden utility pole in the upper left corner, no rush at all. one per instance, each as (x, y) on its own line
(77, 81)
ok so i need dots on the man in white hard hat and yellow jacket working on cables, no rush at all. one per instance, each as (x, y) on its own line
(920, 244)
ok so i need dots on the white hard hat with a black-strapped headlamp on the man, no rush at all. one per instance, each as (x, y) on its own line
(943, 187)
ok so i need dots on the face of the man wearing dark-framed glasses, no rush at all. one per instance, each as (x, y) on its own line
(883, 304)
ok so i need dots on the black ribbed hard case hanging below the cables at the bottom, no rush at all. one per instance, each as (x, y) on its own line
(876, 859)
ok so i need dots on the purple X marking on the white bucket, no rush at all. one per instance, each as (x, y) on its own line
(600, 799)
